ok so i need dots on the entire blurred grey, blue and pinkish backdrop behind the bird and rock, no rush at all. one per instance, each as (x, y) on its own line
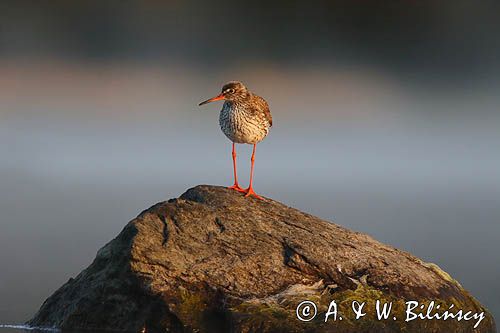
(386, 121)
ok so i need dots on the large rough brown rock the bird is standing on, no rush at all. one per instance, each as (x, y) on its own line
(214, 261)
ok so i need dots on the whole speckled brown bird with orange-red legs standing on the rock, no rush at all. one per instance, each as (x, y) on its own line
(245, 118)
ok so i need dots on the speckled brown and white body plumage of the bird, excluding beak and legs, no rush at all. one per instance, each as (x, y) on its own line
(246, 118)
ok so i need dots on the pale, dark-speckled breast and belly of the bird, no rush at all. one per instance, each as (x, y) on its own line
(242, 126)
